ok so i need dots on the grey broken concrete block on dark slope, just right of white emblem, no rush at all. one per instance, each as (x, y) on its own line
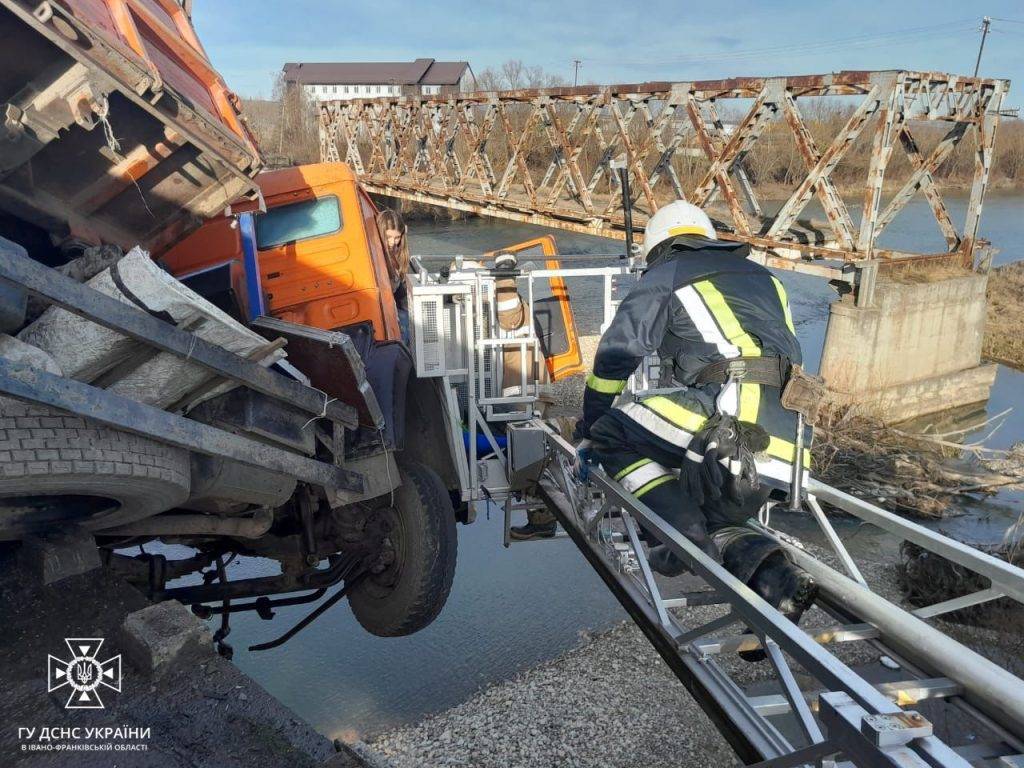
(160, 636)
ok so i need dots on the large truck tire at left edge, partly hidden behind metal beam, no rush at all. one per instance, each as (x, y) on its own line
(58, 471)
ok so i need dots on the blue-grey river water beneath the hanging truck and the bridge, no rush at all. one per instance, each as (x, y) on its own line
(513, 609)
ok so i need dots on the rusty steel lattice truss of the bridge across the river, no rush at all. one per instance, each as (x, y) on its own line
(547, 157)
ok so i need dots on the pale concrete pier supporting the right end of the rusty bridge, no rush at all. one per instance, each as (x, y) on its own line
(916, 351)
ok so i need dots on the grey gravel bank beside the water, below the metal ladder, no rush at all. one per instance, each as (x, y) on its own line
(611, 702)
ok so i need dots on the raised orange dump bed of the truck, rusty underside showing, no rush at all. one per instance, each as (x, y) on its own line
(115, 125)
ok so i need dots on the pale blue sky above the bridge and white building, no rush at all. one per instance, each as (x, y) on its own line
(250, 40)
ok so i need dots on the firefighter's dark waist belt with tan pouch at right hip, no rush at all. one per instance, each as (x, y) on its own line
(801, 392)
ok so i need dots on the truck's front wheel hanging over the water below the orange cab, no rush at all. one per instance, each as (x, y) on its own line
(410, 593)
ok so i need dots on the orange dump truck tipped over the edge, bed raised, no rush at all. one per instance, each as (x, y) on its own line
(160, 410)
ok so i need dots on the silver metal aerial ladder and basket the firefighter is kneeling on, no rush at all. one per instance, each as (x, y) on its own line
(842, 718)
